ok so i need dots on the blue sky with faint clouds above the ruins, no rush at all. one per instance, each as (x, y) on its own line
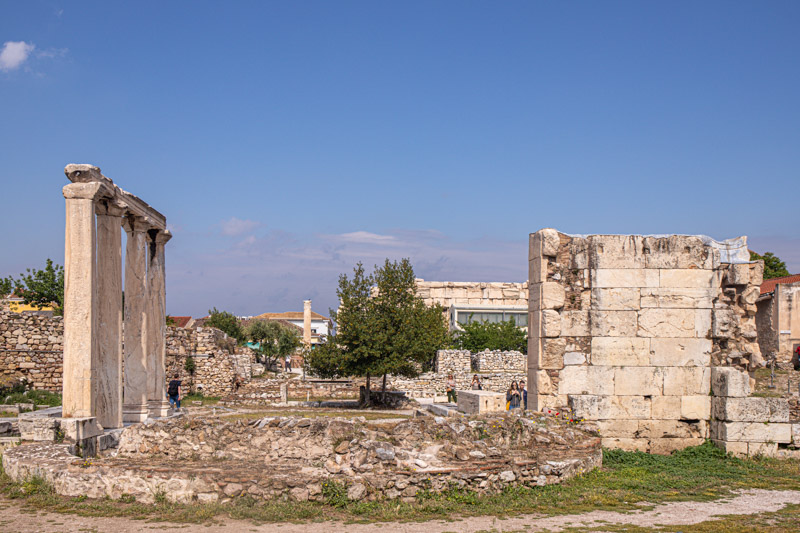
(286, 141)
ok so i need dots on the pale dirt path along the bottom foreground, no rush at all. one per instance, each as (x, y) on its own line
(15, 520)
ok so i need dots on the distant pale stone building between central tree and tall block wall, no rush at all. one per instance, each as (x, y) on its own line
(475, 301)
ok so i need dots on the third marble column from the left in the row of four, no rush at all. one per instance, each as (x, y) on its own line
(134, 406)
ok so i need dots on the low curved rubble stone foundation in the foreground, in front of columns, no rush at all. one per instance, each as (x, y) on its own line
(214, 460)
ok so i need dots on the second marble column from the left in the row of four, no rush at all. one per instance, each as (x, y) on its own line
(108, 320)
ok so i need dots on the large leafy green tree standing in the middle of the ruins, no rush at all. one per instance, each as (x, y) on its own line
(382, 327)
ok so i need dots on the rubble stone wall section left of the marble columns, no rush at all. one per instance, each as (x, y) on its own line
(31, 348)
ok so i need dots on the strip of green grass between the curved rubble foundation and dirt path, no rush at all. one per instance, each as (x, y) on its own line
(628, 480)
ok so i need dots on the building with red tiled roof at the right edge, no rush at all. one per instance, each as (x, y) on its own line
(778, 317)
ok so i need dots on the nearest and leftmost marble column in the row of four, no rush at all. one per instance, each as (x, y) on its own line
(80, 302)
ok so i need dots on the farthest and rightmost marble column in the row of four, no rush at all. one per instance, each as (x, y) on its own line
(156, 323)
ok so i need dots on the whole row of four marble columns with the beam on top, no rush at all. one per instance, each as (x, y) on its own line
(93, 385)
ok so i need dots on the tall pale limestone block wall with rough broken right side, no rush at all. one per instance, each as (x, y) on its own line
(624, 330)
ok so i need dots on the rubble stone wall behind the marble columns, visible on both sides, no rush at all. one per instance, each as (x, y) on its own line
(31, 348)
